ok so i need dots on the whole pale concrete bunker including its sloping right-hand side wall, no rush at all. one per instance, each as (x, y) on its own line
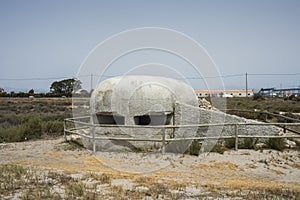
(141, 101)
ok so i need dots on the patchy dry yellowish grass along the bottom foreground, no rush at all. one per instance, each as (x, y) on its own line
(158, 185)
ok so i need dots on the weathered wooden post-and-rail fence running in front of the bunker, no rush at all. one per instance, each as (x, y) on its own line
(82, 123)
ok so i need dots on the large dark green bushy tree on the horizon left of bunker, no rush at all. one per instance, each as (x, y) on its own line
(65, 87)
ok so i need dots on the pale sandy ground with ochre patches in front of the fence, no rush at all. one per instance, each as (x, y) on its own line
(233, 170)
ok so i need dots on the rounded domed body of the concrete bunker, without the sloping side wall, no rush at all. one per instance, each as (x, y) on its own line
(141, 101)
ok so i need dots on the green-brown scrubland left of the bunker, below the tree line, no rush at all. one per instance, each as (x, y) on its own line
(26, 119)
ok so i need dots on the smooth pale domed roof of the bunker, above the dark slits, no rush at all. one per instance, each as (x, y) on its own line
(138, 95)
